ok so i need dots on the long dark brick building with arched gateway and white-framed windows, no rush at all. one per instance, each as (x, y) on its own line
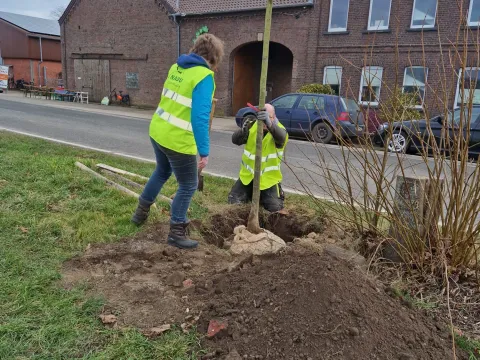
(361, 47)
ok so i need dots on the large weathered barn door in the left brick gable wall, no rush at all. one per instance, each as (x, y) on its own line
(92, 76)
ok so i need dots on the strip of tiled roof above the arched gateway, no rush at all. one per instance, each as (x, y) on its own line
(195, 7)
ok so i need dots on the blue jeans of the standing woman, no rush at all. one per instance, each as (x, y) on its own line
(184, 167)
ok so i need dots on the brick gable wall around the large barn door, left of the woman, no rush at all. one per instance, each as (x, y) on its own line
(139, 30)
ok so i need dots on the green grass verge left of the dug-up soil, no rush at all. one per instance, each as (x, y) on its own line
(49, 212)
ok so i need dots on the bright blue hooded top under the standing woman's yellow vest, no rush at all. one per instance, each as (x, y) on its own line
(201, 103)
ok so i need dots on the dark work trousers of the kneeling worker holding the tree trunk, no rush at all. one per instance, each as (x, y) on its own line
(271, 199)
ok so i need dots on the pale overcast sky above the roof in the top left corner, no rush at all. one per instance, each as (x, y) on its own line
(38, 8)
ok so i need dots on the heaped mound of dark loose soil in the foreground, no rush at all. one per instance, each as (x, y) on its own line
(301, 305)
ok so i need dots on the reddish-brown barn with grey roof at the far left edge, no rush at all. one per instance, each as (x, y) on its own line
(31, 47)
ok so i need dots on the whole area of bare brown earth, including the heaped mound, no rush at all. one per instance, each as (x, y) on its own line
(303, 303)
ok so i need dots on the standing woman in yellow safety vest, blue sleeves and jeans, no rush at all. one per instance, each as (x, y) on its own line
(179, 130)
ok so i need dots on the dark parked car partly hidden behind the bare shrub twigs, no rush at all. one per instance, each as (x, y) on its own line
(413, 135)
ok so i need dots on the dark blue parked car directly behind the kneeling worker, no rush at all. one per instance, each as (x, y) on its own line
(314, 115)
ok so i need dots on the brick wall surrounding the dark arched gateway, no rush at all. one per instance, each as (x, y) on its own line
(297, 34)
